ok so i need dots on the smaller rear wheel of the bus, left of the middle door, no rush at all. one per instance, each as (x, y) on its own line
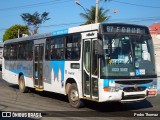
(22, 86)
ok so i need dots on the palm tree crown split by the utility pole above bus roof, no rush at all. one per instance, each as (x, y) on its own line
(90, 15)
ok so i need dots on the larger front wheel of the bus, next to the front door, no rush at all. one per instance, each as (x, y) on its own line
(73, 96)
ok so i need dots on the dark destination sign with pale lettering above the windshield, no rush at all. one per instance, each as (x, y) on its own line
(125, 29)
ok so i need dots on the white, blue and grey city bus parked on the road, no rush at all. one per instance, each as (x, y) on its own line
(101, 62)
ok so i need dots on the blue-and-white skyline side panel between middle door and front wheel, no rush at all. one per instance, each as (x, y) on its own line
(54, 76)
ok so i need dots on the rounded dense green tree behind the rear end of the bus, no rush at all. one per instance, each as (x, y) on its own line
(15, 31)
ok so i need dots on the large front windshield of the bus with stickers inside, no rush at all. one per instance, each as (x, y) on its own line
(127, 55)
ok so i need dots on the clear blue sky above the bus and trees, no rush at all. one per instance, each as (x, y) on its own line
(65, 13)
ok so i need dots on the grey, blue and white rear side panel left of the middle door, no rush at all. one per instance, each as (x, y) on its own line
(14, 68)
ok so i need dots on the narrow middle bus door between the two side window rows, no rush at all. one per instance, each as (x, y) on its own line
(38, 65)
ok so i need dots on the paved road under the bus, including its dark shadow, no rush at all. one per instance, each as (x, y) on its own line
(12, 100)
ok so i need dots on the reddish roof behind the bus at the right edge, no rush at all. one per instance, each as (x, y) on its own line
(155, 28)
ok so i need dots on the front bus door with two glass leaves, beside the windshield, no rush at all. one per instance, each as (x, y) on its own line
(90, 69)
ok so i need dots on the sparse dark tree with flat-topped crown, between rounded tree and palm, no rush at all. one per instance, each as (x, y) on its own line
(34, 20)
